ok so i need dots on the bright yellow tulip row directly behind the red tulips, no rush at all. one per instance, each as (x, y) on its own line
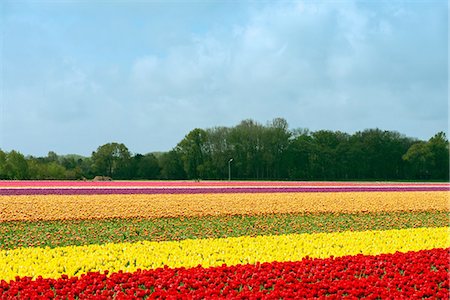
(76, 260)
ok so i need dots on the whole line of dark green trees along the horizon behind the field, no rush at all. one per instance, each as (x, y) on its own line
(252, 151)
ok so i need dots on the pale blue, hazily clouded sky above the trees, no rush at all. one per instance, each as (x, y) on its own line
(79, 74)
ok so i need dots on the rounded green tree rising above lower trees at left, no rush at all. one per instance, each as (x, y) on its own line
(111, 160)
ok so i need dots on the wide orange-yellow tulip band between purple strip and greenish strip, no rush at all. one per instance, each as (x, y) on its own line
(57, 207)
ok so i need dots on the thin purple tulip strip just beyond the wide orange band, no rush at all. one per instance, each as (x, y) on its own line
(208, 190)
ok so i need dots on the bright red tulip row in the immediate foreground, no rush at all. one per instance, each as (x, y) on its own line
(411, 275)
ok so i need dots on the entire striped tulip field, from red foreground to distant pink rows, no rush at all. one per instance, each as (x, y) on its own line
(219, 239)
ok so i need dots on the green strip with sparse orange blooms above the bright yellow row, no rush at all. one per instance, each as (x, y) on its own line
(60, 233)
